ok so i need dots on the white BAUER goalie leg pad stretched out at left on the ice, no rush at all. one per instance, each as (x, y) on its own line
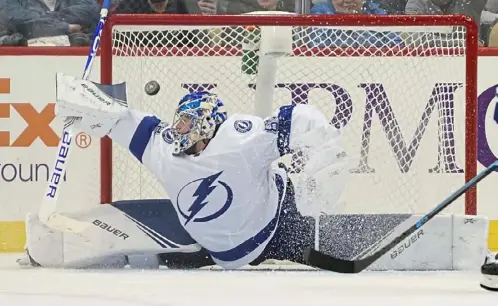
(113, 239)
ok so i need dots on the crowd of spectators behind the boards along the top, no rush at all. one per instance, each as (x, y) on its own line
(72, 22)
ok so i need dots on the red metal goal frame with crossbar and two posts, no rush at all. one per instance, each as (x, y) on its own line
(471, 47)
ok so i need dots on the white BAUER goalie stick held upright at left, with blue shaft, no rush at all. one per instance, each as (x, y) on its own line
(47, 213)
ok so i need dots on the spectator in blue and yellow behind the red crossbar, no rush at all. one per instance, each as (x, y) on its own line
(323, 37)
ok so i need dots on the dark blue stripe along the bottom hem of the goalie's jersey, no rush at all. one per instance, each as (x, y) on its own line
(252, 243)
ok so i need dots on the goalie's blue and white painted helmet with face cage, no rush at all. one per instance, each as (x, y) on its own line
(196, 118)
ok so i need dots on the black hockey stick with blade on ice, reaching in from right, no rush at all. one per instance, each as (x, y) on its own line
(323, 261)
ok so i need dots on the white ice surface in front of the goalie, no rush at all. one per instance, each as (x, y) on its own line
(127, 287)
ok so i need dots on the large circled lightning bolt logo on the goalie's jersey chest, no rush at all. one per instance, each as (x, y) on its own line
(204, 209)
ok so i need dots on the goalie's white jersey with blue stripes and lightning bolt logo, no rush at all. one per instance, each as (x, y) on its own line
(228, 197)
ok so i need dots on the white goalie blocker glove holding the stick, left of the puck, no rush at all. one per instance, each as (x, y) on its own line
(98, 107)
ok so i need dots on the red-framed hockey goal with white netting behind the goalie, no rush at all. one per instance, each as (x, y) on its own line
(402, 90)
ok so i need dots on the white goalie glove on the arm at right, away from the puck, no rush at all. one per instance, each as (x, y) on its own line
(322, 163)
